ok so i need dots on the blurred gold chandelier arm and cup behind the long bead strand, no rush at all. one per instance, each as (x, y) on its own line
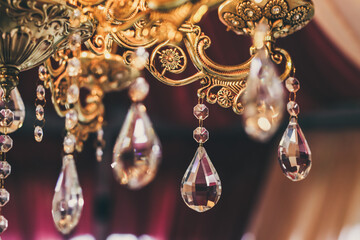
(99, 75)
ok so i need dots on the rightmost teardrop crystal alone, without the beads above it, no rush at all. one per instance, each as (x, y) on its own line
(294, 154)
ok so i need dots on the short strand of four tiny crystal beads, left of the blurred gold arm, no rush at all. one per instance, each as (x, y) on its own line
(40, 103)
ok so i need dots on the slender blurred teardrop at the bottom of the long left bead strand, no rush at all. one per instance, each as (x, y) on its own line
(68, 199)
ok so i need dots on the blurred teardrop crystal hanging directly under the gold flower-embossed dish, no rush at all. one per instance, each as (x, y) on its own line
(263, 100)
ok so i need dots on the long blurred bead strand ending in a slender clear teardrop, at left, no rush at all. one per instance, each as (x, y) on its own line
(68, 200)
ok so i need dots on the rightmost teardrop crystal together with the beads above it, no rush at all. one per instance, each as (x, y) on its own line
(294, 154)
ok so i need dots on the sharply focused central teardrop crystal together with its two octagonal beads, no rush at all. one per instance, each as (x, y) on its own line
(201, 185)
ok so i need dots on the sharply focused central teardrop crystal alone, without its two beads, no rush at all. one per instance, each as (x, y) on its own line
(201, 185)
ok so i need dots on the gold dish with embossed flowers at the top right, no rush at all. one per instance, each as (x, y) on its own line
(283, 16)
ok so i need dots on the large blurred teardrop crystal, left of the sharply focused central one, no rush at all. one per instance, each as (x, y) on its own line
(137, 151)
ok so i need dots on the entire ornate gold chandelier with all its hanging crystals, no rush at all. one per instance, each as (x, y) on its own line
(87, 48)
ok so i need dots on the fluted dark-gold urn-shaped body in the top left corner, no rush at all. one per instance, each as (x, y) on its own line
(30, 32)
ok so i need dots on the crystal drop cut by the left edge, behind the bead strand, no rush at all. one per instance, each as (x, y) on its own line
(16, 105)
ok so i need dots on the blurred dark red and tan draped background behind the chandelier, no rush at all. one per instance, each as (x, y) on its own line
(257, 201)
